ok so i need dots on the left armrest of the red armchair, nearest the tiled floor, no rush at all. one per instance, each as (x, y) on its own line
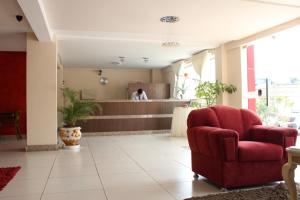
(212, 141)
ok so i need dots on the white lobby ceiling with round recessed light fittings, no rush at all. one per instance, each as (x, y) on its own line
(95, 33)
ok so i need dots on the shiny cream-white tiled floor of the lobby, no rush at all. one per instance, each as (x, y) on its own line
(135, 167)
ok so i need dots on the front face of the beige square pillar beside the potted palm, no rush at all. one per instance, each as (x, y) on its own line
(41, 92)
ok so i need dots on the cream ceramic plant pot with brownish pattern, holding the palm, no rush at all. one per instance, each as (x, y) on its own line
(70, 136)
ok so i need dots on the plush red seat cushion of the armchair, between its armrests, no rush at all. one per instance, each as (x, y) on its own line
(259, 151)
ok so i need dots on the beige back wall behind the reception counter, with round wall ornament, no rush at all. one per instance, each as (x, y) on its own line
(80, 78)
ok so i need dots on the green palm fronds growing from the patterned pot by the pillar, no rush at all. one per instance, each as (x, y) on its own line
(75, 109)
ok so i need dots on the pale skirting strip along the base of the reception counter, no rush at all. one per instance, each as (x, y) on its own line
(126, 133)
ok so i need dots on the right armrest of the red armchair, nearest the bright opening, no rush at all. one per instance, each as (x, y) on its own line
(284, 137)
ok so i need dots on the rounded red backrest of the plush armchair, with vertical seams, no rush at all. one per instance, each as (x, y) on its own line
(225, 117)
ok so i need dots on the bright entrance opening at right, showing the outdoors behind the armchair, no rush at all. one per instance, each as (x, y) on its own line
(276, 71)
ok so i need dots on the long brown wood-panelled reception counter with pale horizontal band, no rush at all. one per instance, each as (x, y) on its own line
(127, 115)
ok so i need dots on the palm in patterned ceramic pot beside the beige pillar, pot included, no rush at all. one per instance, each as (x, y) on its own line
(74, 110)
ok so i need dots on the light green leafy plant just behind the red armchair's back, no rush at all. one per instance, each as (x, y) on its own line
(209, 91)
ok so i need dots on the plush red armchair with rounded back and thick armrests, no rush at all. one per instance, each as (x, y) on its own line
(231, 148)
